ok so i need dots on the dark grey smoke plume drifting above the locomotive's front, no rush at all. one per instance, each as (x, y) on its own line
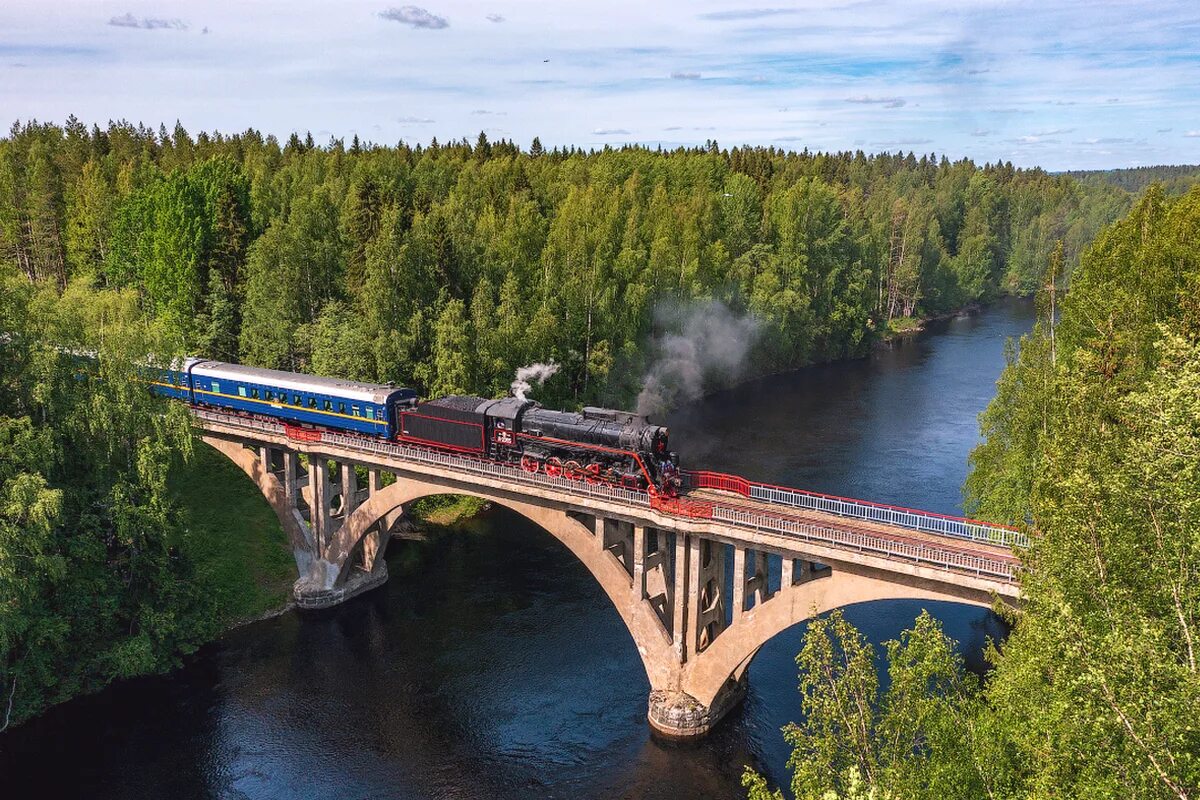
(703, 346)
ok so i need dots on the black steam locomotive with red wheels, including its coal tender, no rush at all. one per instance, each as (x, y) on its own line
(597, 446)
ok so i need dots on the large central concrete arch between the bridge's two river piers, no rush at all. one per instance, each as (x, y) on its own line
(652, 642)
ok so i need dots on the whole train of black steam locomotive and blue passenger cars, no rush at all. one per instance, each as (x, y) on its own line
(597, 446)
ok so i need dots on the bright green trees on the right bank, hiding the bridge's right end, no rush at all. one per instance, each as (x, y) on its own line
(1094, 446)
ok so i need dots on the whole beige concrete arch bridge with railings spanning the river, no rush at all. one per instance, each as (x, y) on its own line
(663, 563)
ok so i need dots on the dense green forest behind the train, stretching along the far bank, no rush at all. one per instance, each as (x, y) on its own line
(449, 266)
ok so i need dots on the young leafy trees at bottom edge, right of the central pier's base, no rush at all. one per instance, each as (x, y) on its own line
(926, 736)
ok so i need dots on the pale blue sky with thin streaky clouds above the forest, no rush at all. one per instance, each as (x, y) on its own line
(1061, 86)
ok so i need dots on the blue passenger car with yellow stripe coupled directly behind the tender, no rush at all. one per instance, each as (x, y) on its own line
(293, 398)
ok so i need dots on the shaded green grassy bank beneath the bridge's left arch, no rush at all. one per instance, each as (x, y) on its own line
(235, 538)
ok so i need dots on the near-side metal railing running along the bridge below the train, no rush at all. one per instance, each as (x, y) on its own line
(735, 516)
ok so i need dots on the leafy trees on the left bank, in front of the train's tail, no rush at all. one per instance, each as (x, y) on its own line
(92, 579)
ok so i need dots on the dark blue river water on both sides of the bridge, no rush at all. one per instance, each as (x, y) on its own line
(491, 666)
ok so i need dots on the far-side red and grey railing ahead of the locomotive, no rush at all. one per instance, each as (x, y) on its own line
(911, 519)
